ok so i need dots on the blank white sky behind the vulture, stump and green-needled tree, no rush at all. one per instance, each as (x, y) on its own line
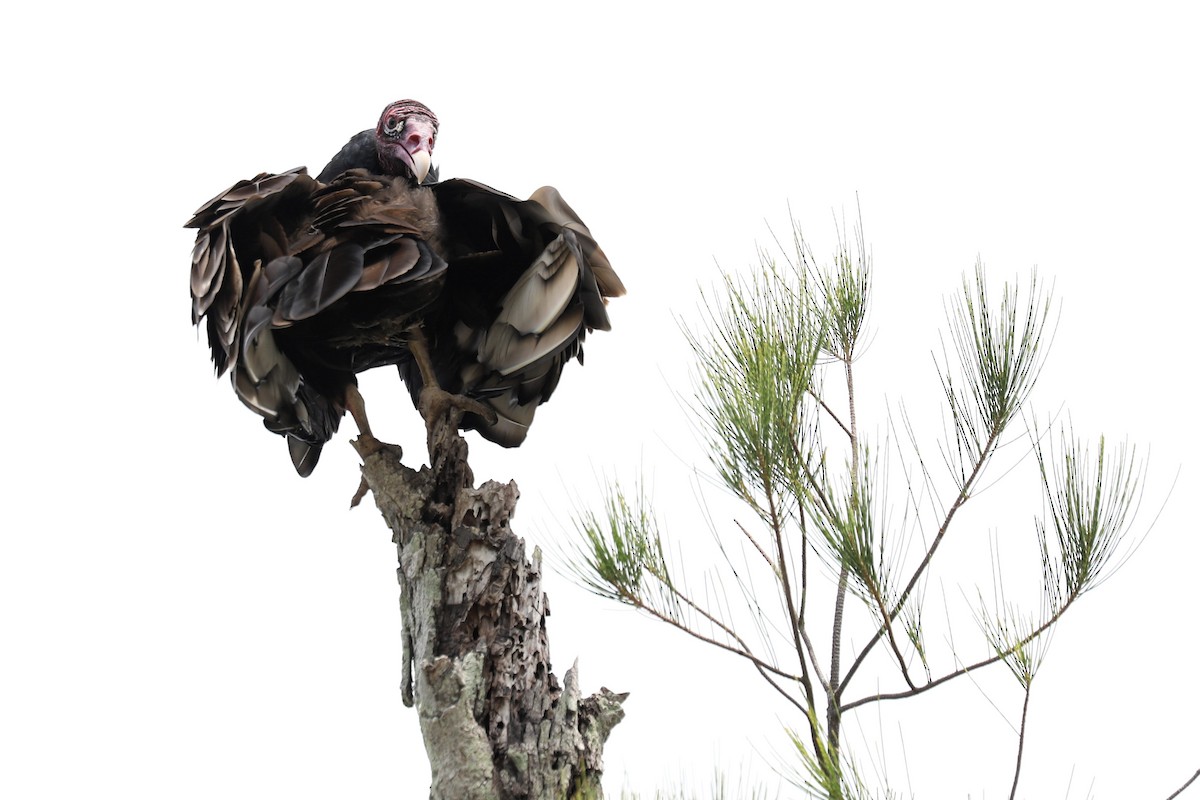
(181, 616)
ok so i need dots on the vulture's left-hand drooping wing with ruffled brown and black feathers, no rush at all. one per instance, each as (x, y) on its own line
(302, 285)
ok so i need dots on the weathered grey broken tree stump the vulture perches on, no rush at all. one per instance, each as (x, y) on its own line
(497, 724)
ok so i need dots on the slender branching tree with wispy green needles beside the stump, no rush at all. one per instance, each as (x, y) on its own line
(771, 341)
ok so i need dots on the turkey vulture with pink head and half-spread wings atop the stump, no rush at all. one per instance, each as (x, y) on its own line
(305, 282)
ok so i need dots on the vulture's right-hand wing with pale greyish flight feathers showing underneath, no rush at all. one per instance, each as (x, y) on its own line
(526, 282)
